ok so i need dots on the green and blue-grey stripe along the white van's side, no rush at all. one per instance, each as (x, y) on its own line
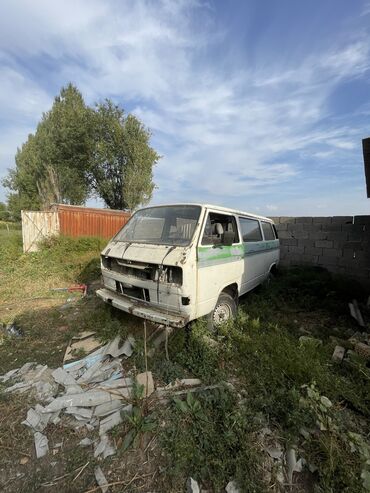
(211, 255)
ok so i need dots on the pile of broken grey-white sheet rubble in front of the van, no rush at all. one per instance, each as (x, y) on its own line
(91, 392)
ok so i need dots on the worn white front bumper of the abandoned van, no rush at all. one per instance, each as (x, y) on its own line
(141, 309)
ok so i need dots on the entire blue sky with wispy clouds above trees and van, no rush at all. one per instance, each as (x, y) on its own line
(256, 105)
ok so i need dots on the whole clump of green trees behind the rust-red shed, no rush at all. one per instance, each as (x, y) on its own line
(77, 151)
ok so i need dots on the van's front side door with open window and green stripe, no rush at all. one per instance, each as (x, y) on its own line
(218, 265)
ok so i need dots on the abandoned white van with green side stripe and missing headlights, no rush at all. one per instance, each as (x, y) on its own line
(172, 264)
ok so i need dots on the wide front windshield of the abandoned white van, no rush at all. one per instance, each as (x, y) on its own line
(167, 225)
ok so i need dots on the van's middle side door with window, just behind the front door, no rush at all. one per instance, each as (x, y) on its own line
(254, 258)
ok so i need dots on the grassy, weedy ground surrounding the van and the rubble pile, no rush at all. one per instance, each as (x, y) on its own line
(267, 378)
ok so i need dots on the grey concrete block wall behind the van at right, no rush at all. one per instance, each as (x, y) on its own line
(340, 243)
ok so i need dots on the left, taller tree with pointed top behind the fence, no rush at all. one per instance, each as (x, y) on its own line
(51, 166)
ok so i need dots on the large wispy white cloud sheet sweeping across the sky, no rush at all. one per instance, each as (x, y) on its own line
(222, 134)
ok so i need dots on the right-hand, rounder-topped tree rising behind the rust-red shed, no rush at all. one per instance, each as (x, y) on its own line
(121, 171)
